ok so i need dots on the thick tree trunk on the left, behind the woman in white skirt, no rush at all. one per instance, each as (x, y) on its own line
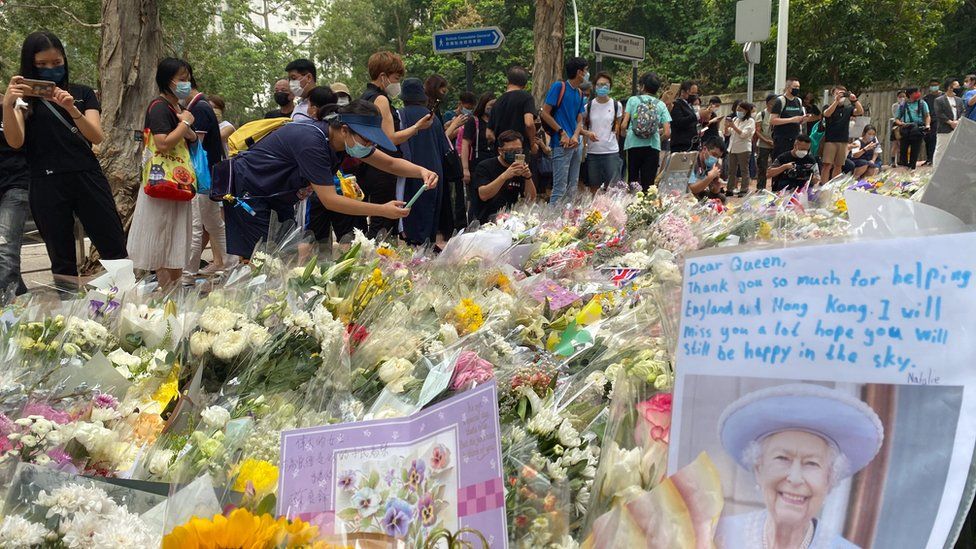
(131, 49)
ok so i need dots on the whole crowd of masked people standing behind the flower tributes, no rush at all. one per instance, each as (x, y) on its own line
(399, 141)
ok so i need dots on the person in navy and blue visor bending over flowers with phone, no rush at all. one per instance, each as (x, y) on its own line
(300, 160)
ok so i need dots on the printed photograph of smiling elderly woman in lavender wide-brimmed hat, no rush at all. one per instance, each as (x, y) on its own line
(821, 464)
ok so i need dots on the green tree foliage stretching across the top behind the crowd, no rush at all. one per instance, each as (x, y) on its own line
(885, 42)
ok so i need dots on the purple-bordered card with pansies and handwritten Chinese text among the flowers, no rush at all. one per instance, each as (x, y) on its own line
(403, 477)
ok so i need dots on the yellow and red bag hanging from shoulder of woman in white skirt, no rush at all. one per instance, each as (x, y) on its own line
(170, 175)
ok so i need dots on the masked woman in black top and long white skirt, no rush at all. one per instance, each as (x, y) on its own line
(162, 230)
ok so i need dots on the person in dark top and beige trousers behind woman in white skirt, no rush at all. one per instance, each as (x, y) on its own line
(208, 221)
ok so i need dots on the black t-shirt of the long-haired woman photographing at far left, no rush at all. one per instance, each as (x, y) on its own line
(51, 147)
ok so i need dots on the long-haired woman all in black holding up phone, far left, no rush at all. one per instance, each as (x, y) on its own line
(57, 134)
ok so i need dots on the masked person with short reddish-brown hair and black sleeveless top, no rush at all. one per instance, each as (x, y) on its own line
(386, 70)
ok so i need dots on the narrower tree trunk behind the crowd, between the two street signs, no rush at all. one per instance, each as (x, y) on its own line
(548, 31)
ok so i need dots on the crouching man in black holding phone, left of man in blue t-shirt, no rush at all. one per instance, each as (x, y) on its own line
(501, 181)
